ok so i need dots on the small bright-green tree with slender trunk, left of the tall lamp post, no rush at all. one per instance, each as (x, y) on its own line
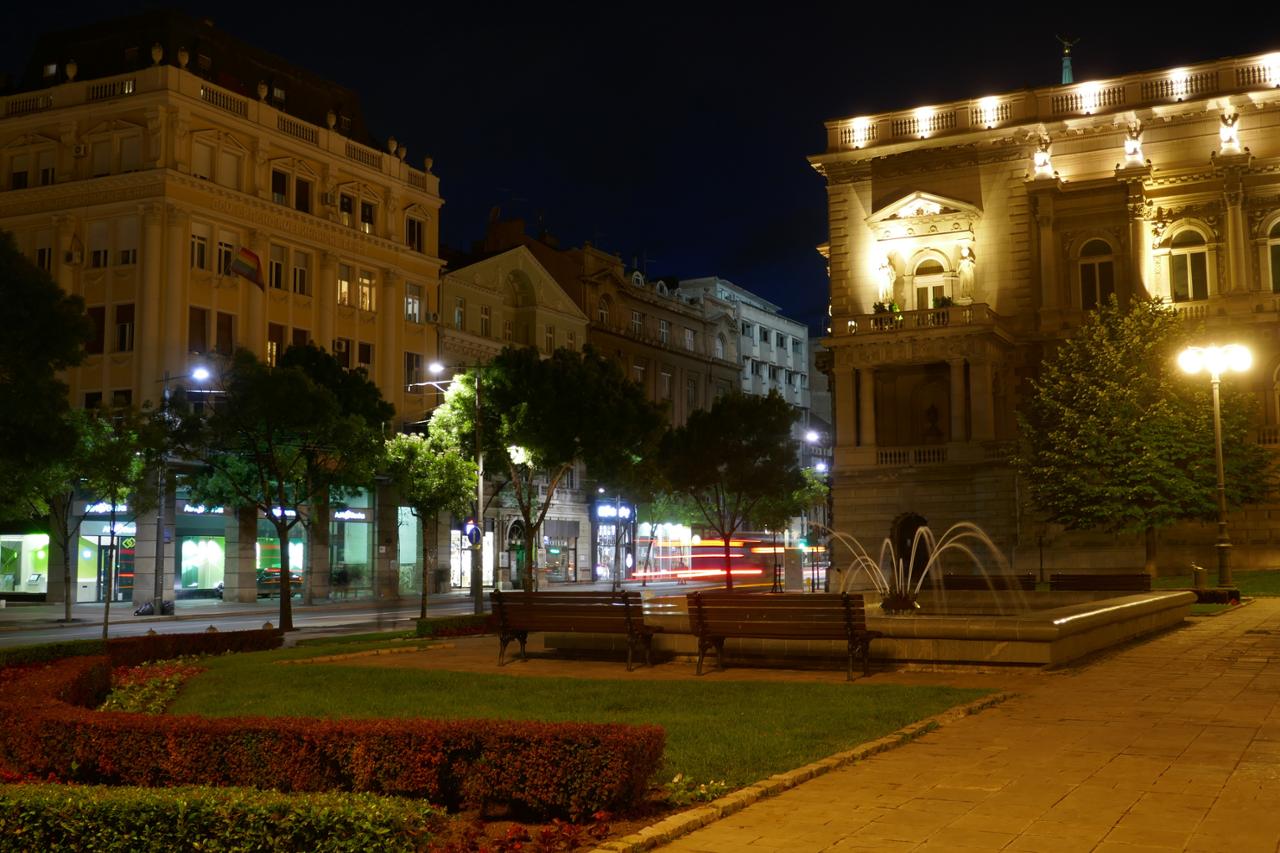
(432, 477)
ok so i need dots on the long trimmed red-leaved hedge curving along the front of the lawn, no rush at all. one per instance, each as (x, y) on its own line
(554, 769)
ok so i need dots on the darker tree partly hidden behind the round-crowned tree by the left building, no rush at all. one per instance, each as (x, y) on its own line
(359, 398)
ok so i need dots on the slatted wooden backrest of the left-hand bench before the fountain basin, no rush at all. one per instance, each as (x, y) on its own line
(605, 613)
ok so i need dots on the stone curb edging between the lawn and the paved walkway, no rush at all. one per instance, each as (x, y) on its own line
(685, 823)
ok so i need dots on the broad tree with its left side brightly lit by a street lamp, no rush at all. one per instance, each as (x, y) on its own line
(541, 417)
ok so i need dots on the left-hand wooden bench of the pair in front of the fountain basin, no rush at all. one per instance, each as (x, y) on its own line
(582, 613)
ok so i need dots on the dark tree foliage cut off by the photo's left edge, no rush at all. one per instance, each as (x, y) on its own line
(45, 332)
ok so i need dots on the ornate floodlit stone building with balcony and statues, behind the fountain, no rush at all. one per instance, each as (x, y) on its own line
(966, 238)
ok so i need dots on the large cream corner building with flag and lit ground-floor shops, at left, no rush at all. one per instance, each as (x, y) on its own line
(202, 197)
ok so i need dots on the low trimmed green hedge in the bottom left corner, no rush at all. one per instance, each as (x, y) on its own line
(53, 819)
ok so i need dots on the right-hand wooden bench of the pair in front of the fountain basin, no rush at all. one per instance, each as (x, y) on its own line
(716, 617)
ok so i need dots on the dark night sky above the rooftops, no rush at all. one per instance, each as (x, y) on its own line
(675, 135)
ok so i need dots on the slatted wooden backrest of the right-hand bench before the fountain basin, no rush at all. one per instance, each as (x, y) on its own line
(820, 615)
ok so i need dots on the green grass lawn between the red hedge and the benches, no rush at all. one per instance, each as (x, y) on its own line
(738, 732)
